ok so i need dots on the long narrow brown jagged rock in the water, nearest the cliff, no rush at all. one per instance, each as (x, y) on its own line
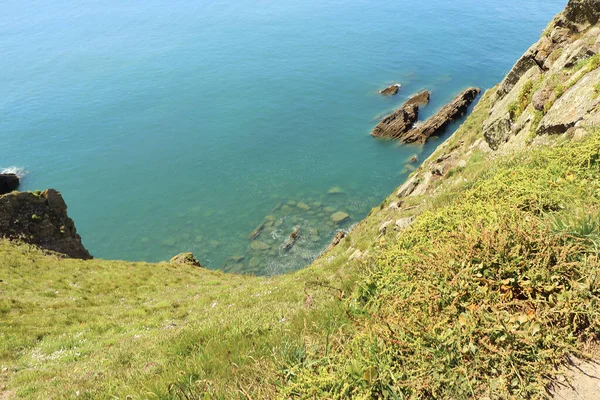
(442, 118)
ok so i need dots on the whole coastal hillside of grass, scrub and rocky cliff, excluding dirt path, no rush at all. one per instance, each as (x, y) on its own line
(478, 278)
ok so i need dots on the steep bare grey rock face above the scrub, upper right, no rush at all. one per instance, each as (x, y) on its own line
(553, 87)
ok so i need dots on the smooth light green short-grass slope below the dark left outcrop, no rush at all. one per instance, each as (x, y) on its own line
(100, 328)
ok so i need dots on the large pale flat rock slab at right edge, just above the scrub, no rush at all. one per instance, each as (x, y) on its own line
(572, 107)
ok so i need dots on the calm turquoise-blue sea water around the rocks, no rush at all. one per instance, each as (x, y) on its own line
(179, 125)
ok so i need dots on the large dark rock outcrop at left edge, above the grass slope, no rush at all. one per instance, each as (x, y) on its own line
(41, 219)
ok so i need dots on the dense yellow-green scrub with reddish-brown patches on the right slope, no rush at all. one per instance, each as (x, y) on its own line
(483, 296)
